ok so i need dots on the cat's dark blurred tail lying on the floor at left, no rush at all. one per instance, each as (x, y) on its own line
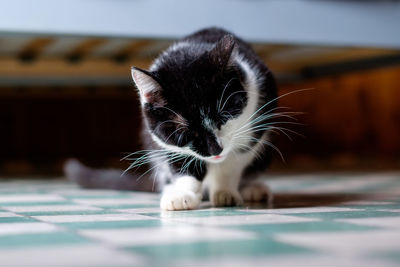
(106, 178)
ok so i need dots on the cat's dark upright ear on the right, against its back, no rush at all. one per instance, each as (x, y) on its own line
(221, 53)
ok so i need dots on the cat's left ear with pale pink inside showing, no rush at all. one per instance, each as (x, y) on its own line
(149, 88)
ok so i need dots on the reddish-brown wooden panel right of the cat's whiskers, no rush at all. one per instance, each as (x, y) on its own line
(357, 112)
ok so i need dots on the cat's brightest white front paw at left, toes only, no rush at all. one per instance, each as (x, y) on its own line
(180, 200)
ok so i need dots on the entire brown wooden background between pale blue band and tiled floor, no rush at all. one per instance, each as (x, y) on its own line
(73, 96)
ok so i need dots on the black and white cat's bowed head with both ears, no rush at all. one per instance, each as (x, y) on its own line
(192, 102)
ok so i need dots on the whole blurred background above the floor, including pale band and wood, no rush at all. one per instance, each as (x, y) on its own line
(65, 87)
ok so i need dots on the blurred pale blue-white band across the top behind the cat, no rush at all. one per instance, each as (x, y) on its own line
(365, 23)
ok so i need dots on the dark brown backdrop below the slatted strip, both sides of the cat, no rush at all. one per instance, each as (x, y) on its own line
(349, 120)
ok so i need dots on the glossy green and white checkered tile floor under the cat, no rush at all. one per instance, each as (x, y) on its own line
(317, 220)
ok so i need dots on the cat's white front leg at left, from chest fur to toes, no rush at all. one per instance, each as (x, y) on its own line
(183, 194)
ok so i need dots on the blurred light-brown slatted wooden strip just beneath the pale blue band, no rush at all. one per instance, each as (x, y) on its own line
(26, 60)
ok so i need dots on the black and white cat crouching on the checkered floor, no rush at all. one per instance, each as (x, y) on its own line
(207, 103)
